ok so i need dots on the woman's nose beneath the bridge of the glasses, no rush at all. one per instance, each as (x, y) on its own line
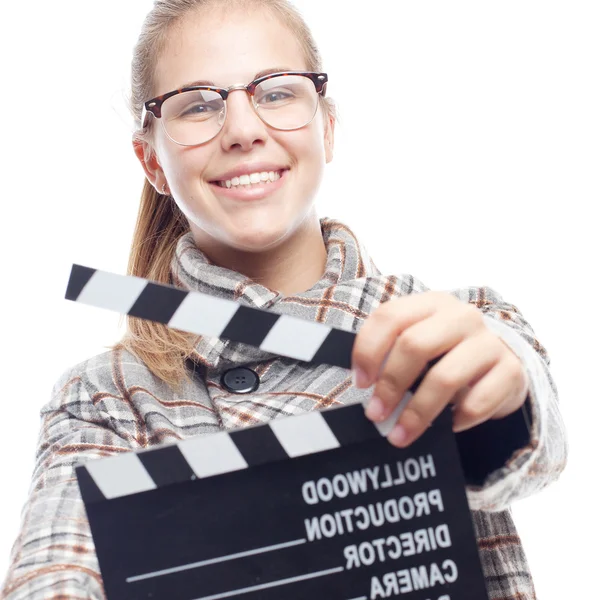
(243, 128)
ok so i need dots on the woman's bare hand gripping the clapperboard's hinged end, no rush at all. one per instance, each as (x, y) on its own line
(478, 372)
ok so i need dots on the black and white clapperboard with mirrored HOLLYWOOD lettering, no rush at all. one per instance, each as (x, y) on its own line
(317, 506)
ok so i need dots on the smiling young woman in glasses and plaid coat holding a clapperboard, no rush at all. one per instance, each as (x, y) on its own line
(235, 132)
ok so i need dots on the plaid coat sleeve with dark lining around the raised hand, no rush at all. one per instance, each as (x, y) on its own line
(508, 459)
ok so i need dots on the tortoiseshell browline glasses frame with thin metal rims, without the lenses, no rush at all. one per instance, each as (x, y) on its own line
(154, 106)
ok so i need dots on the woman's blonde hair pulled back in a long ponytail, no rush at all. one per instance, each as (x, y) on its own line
(160, 223)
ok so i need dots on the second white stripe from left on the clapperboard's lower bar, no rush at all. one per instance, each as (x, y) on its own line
(212, 454)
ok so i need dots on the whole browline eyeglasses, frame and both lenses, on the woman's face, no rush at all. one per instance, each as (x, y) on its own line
(194, 115)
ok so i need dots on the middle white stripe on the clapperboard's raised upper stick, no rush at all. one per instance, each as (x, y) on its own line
(203, 314)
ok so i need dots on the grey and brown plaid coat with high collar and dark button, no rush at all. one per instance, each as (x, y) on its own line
(111, 403)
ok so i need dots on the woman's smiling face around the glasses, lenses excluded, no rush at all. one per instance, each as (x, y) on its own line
(228, 50)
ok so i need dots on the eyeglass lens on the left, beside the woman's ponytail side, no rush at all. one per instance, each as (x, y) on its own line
(193, 117)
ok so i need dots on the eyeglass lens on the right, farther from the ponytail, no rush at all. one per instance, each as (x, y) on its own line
(286, 101)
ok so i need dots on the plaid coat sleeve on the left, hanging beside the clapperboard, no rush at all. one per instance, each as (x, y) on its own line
(54, 555)
